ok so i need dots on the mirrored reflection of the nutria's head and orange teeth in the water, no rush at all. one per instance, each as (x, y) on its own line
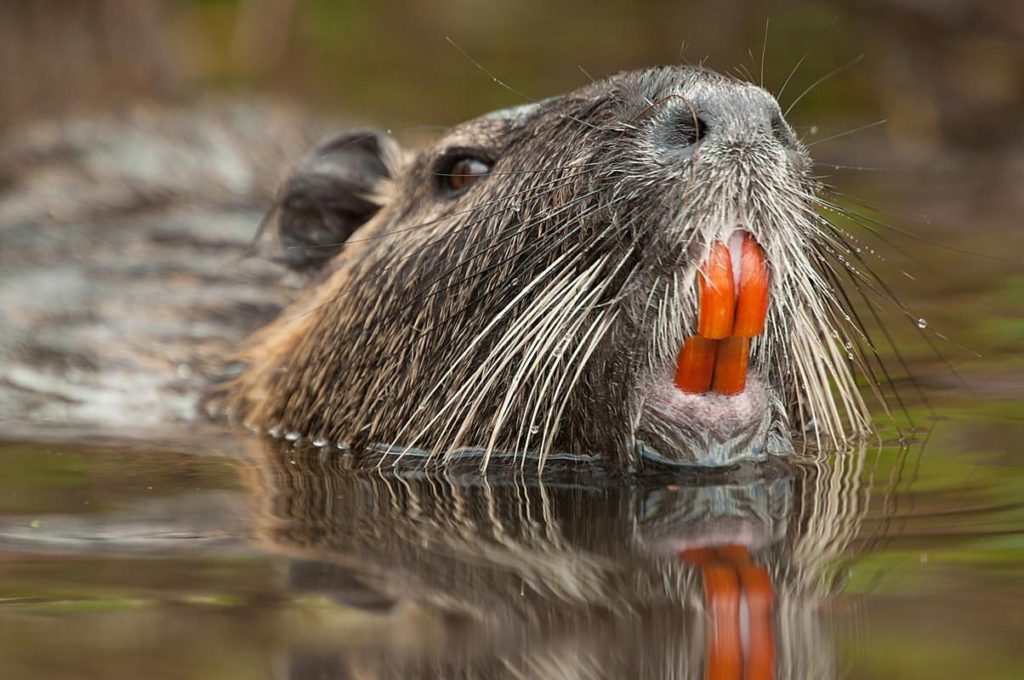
(723, 577)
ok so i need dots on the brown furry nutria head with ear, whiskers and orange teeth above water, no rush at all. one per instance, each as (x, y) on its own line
(527, 284)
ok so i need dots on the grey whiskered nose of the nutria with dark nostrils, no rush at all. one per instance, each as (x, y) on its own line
(746, 115)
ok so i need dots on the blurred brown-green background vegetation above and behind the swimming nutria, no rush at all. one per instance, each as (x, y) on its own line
(928, 67)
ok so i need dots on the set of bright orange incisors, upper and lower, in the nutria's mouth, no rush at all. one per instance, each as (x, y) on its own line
(730, 315)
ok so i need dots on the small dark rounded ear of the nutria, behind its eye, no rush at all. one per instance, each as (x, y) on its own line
(331, 195)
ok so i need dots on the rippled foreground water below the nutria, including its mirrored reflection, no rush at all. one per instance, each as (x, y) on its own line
(895, 561)
